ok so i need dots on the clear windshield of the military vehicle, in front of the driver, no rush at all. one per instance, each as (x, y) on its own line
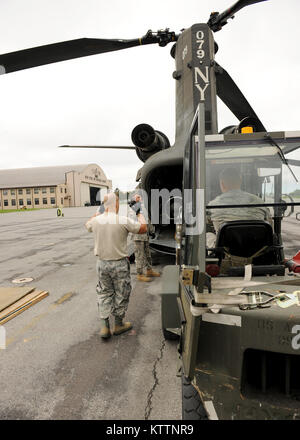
(240, 176)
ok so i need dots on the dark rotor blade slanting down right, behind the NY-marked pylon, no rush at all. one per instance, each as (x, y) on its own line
(233, 98)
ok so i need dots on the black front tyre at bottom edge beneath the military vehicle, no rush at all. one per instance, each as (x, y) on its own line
(192, 406)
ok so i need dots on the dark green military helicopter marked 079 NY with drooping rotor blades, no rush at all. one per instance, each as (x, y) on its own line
(198, 77)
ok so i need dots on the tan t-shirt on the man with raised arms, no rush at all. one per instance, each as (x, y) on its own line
(110, 234)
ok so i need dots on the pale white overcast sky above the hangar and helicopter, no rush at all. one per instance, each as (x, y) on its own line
(100, 99)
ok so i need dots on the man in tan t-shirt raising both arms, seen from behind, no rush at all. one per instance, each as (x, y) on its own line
(114, 287)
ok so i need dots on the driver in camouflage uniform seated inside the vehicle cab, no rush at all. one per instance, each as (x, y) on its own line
(230, 184)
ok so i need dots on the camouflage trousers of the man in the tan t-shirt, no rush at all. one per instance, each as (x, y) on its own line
(113, 288)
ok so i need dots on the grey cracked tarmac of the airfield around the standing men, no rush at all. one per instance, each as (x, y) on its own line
(55, 365)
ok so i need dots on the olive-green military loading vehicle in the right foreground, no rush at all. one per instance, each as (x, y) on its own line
(238, 323)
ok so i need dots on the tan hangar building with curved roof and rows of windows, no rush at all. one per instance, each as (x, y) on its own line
(55, 186)
